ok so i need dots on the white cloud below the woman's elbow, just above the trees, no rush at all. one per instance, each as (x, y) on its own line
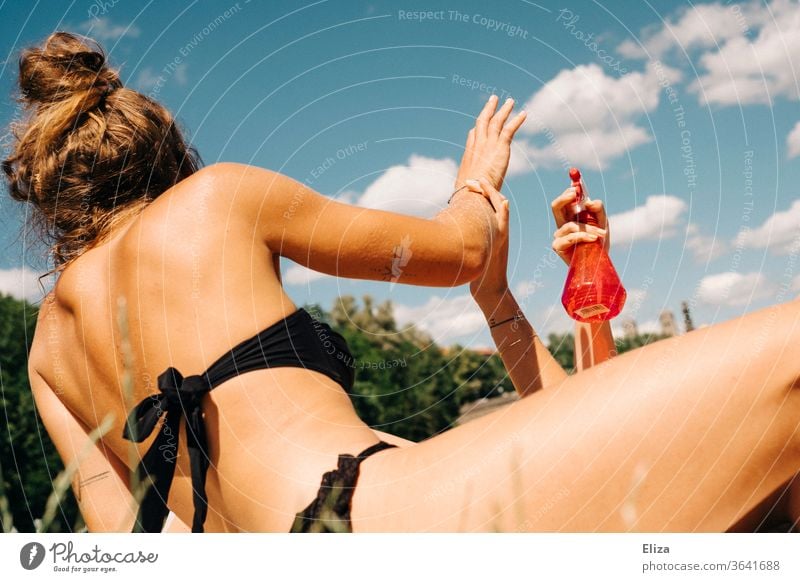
(445, 319)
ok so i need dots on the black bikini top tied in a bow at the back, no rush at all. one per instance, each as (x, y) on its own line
(298, 340)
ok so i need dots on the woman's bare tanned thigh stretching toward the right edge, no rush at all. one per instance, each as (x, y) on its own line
(688, 434)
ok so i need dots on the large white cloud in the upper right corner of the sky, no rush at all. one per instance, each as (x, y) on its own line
(747, 49)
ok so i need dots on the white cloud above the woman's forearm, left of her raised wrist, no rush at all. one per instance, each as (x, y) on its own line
(422, 187)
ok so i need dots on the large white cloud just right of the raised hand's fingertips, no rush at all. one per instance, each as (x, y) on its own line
(587, 118)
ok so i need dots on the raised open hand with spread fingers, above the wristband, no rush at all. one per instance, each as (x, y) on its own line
(488, 147)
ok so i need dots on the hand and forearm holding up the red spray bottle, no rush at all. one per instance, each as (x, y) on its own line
(594, 342)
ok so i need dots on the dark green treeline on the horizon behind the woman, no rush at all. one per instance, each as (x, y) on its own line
(405, 385)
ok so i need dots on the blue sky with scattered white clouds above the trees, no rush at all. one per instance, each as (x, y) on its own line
(683, 117)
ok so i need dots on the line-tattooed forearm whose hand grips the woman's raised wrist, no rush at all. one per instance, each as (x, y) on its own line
(529, 363)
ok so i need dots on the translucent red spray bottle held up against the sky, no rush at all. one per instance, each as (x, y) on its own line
(593, 291)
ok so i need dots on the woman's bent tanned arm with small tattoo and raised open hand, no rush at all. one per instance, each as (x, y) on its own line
(328, 236)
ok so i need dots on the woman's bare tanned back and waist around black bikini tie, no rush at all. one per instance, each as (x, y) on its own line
(191, 280)
